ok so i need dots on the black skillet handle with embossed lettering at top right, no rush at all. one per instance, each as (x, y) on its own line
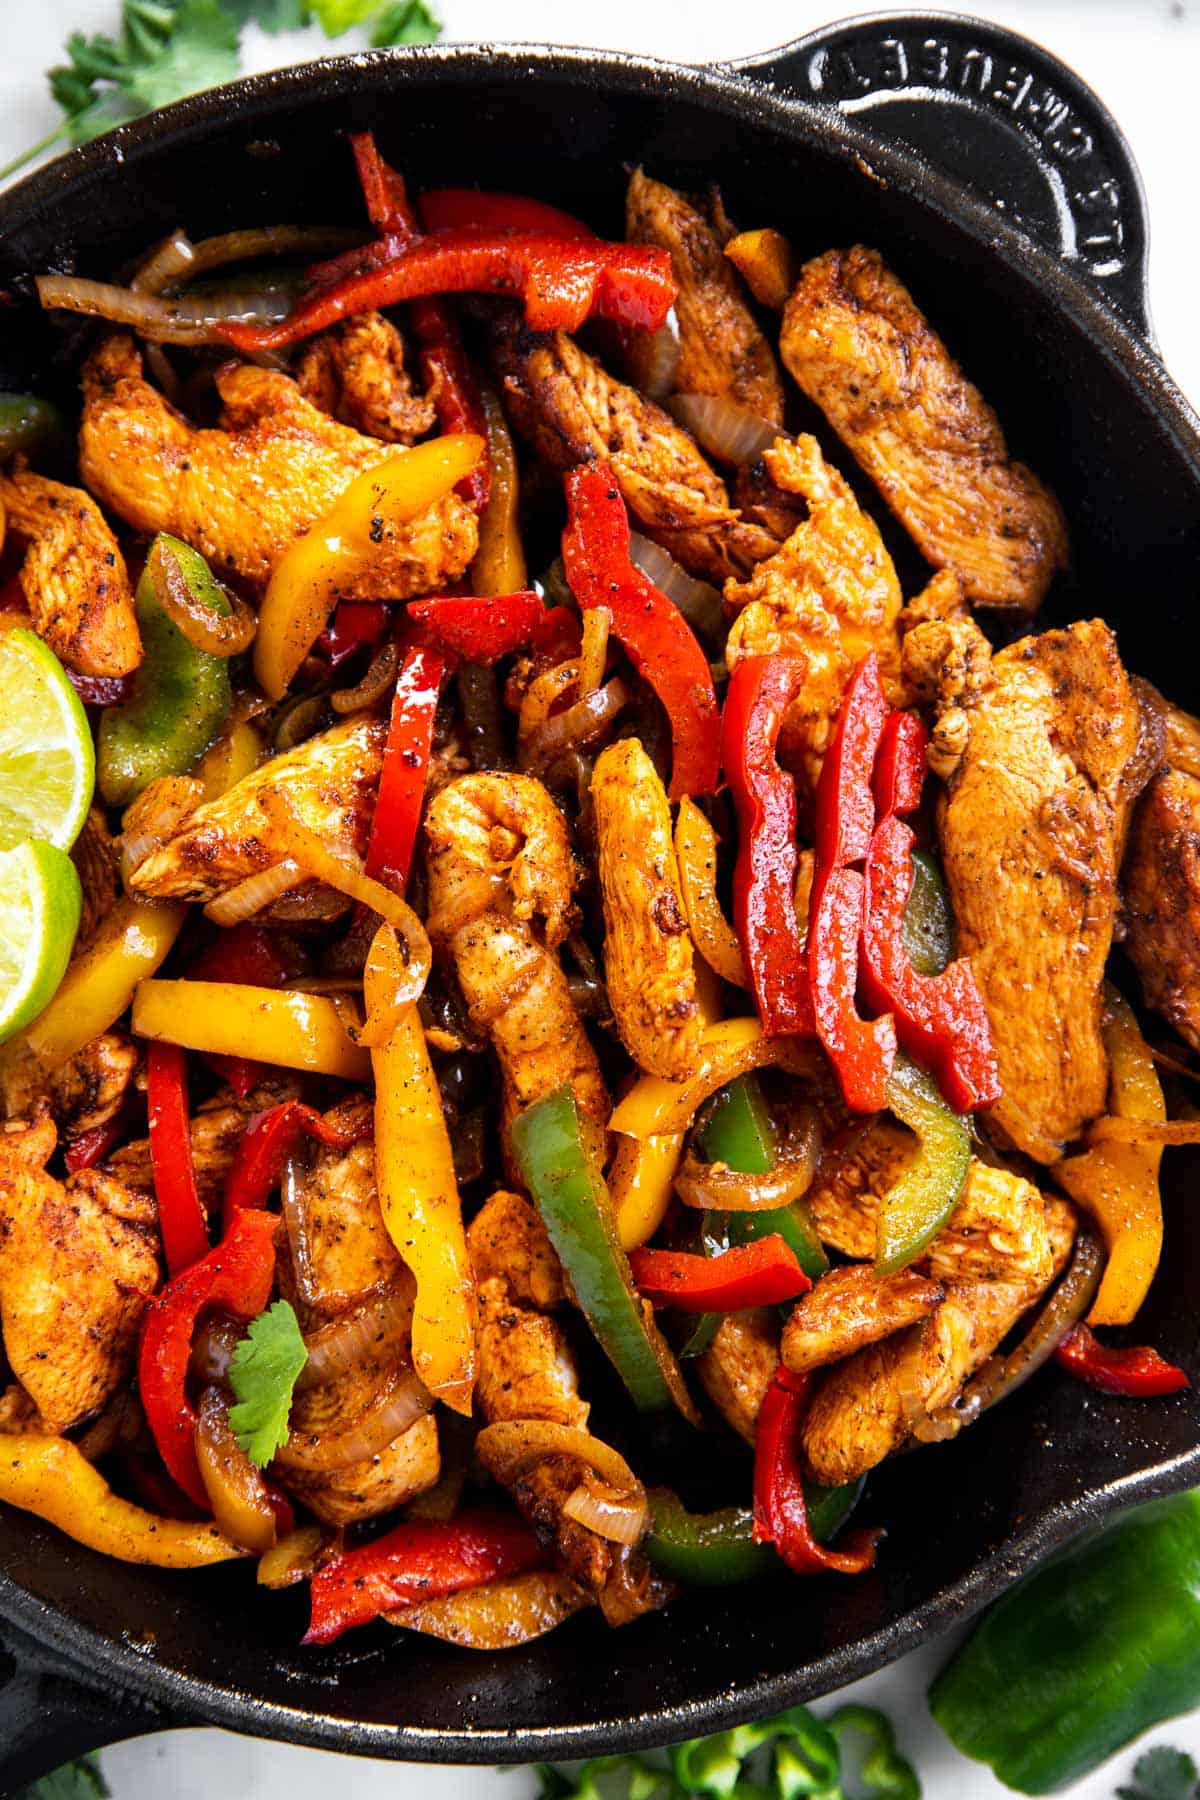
(999, 112)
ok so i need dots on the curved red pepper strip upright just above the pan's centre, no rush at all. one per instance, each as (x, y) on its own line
(656, 634)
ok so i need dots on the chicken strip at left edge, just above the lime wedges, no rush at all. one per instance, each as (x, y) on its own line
(75, 579)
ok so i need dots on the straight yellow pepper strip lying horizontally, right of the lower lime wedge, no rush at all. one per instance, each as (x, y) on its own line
(273, 1025)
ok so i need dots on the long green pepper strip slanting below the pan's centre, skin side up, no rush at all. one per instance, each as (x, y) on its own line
(569, 1192)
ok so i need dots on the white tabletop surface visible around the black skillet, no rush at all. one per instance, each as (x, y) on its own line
(1143, 57)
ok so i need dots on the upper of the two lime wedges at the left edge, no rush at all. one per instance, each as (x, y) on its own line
(48, 762)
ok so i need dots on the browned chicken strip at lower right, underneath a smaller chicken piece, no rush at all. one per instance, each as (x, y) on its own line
(866, 1407)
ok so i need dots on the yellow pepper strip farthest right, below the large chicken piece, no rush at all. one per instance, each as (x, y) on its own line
(1118, 1183)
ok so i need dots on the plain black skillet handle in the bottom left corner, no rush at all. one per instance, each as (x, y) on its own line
(49, 1713)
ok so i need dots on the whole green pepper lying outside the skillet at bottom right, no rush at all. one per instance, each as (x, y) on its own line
(1084, 1655)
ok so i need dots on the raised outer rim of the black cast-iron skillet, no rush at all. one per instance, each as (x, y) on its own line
(740, 94)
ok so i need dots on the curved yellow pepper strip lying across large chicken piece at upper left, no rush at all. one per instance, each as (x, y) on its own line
(310, 575)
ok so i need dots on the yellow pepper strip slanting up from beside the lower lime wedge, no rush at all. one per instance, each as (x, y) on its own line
(100, 982)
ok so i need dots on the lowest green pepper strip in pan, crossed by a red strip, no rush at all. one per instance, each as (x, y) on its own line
(717, 1549)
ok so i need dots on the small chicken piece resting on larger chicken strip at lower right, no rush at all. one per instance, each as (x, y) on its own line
(852, 1308)
